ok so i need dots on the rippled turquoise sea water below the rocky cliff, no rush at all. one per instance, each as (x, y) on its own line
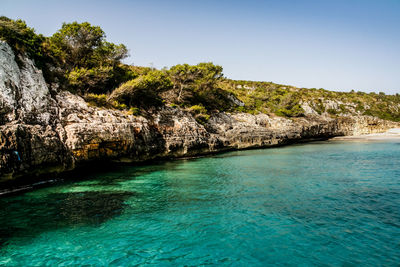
(326, 204)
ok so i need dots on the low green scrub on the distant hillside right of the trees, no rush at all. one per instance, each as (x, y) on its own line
(285, 100)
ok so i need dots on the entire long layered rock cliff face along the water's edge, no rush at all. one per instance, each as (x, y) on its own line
(44, 131)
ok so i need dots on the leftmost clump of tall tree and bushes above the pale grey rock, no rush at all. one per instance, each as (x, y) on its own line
(77, 56)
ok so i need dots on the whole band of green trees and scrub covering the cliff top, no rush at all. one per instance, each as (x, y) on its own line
(79, 59)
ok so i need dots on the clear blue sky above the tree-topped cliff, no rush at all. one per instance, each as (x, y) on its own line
(332, 44)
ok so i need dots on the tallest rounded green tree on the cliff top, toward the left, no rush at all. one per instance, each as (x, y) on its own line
(90, 63)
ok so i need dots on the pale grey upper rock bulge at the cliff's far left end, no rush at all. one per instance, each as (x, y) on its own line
(24, 94)
